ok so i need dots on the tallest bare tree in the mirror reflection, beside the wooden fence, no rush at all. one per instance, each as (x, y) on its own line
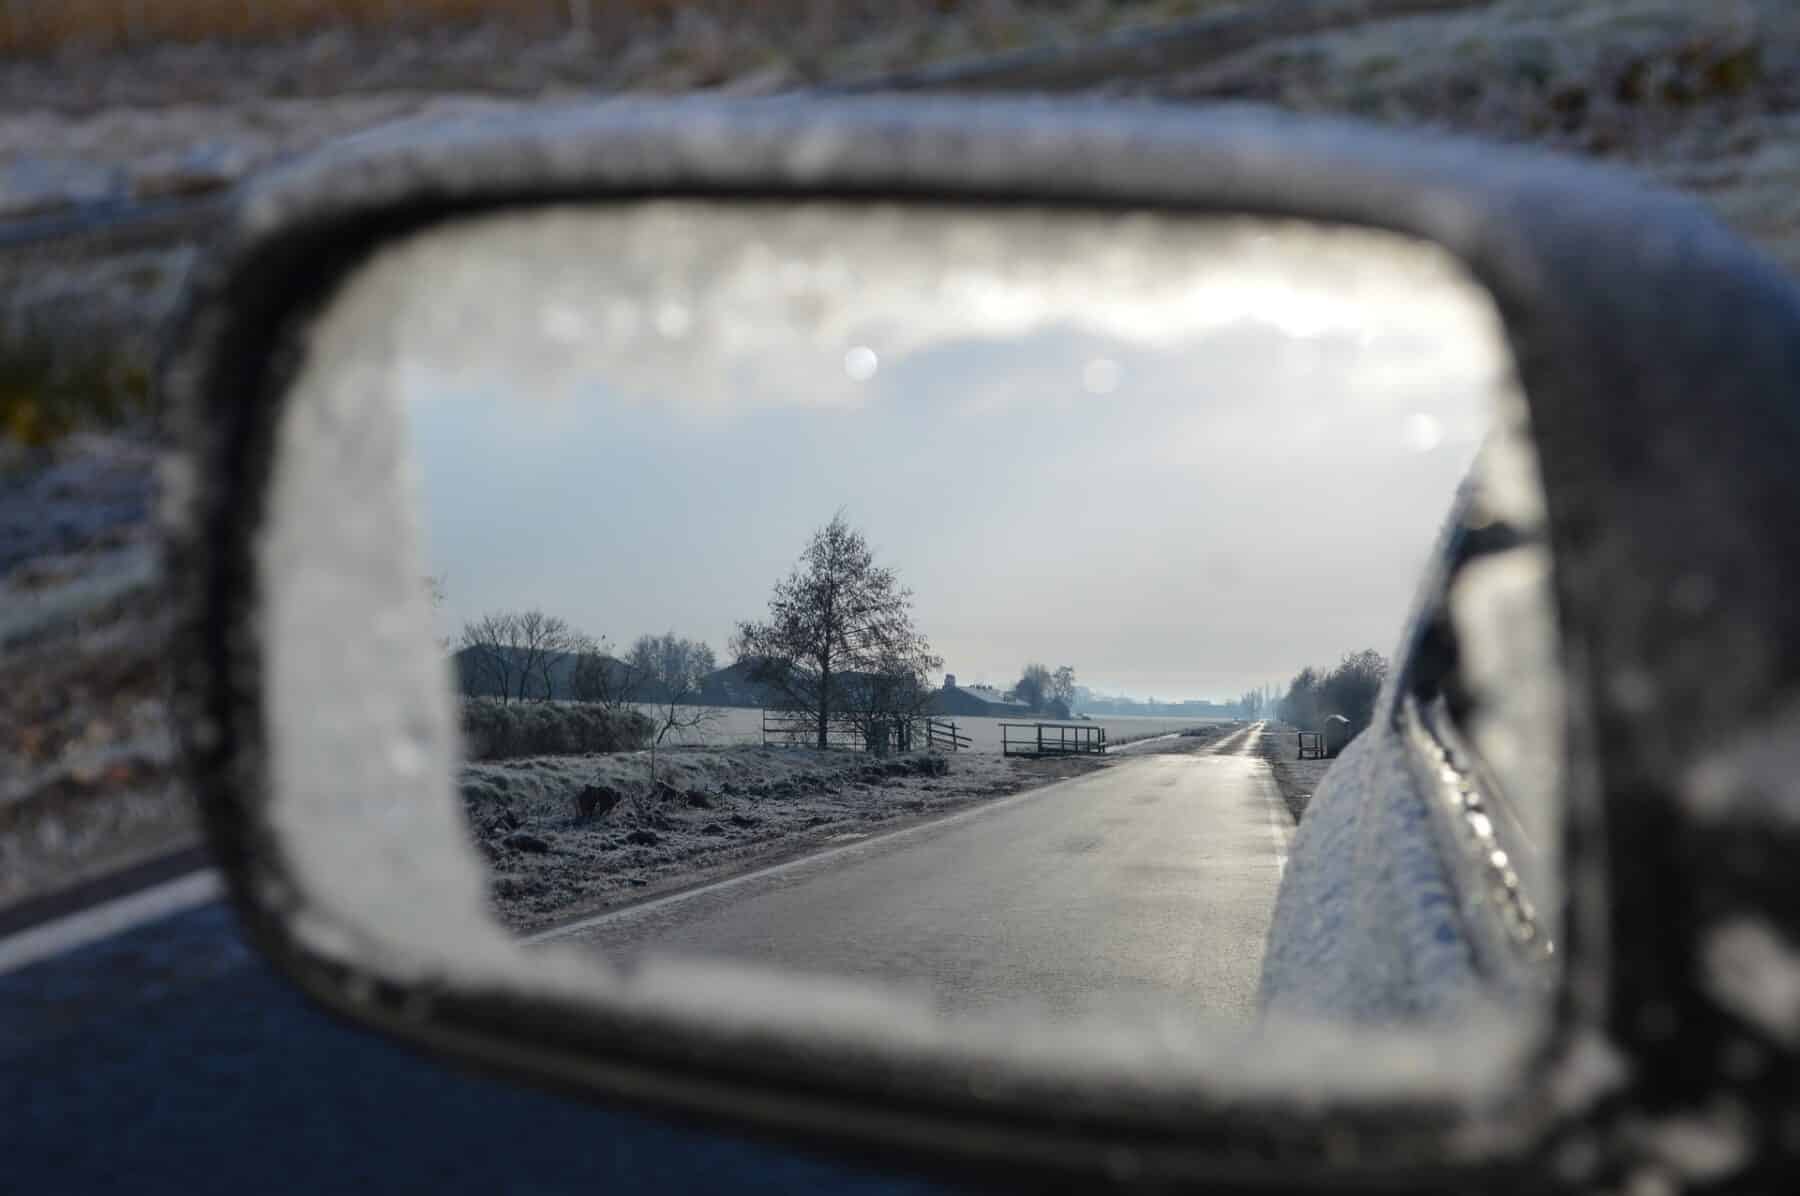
(840, 639)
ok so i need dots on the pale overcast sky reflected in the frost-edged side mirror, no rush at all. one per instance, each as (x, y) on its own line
(1182, 458)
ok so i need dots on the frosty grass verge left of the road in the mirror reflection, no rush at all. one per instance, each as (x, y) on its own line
(714, 811)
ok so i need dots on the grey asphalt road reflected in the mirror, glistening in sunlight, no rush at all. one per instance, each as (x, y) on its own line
(1149, 883)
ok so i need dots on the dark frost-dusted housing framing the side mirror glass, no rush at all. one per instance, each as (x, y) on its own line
(1660, 363)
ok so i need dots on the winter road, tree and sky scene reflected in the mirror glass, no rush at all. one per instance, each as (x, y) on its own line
(976, 603)
